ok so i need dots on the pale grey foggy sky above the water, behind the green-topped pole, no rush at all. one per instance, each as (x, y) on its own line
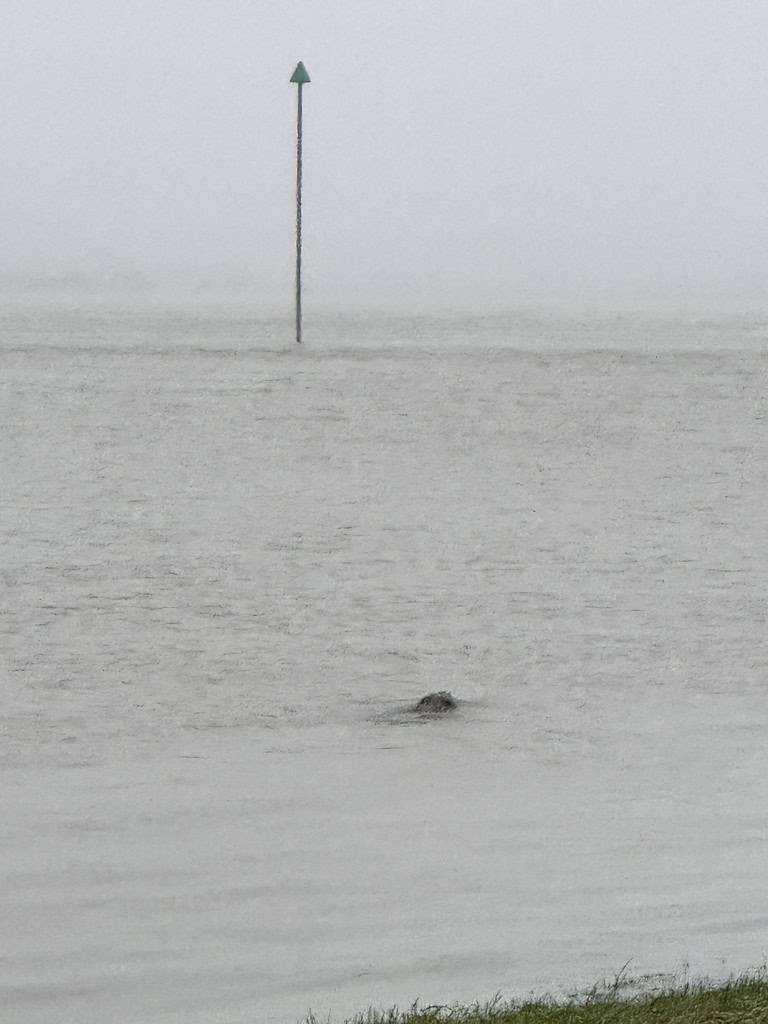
(455, 152)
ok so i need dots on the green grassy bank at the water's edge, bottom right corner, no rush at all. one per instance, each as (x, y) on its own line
(744, 999)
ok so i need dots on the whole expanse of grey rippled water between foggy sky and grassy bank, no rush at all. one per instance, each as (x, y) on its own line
(229, 569)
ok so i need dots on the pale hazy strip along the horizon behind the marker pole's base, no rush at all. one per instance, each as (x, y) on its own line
(53, 320)
